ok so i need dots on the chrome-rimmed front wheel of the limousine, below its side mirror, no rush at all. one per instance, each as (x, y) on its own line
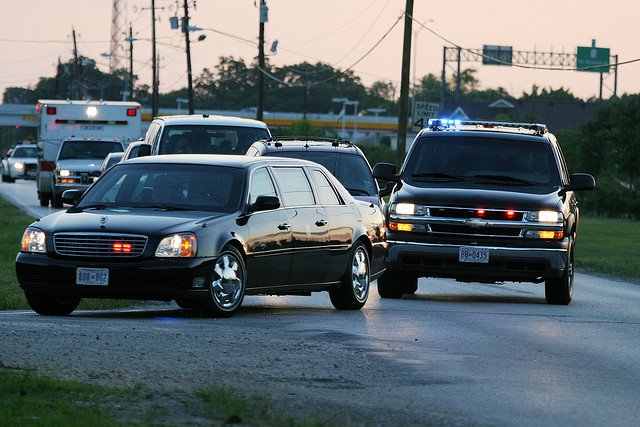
(228, 281)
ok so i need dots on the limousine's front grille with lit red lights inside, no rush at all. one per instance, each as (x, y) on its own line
(99, 244)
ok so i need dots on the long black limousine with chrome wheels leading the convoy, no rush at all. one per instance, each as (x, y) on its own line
(205, 231)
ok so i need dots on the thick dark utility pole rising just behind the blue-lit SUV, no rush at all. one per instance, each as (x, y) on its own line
(404, 85)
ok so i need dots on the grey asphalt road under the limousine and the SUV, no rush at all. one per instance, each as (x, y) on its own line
(452, 354)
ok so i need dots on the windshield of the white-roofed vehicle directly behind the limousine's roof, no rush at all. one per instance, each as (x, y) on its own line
(209, 139)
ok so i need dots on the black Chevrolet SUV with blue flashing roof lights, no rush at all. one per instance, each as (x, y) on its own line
(482, 202)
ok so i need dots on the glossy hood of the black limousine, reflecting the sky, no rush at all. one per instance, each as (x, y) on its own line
(132, 221)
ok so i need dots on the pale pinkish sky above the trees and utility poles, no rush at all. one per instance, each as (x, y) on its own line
(35, 33)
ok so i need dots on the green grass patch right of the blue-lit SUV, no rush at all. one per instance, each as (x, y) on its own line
(609, 246)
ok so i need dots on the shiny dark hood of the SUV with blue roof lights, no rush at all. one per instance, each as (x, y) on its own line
(536, 199)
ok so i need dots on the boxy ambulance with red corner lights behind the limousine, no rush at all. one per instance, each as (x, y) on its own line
(94, 127)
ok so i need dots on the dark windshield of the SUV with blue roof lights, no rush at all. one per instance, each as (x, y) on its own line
(486, 160)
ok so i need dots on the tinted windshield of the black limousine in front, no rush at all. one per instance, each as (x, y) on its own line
(167, 187)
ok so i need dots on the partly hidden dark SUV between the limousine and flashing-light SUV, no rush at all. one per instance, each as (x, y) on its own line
(343, 159)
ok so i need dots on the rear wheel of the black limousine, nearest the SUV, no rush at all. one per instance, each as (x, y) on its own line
(353, 292)
